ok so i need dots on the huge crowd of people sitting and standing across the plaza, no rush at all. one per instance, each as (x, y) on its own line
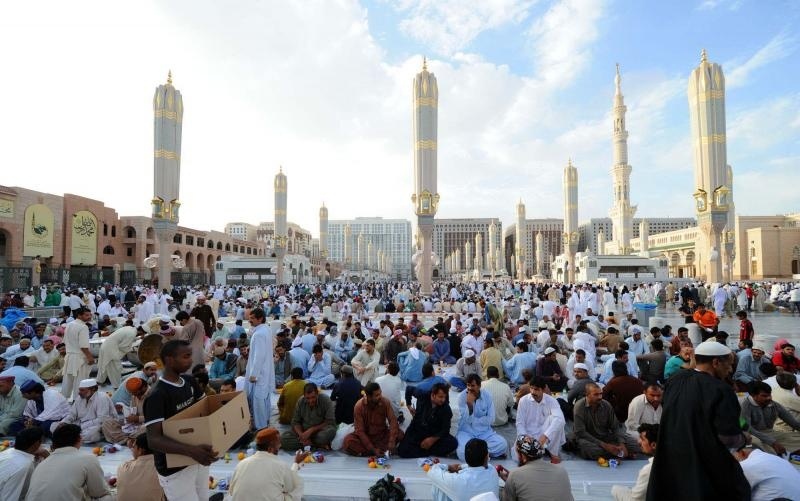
(370, 369)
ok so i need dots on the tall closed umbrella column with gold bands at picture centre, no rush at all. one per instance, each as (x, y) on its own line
(426, 196)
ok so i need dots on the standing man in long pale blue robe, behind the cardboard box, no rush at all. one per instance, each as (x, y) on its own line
(260, 374)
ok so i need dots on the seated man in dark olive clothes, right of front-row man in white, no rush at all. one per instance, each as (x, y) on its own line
(596, 431)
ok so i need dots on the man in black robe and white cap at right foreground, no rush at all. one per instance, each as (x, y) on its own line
(701, 419)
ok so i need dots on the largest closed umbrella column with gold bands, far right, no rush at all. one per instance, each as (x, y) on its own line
(712, 186)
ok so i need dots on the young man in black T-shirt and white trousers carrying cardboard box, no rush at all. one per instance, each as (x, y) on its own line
(173, 393)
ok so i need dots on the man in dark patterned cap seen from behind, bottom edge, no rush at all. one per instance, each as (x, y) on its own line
(535, 479)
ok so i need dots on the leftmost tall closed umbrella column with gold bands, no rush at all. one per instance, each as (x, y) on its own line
(167, 124)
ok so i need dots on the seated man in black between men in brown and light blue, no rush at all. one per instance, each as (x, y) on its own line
(429, 431)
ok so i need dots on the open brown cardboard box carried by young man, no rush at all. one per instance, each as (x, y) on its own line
(218, 421)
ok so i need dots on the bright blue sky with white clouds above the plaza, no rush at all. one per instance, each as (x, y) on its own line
(324, 87)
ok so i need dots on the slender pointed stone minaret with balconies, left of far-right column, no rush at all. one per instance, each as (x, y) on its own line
(622, 211)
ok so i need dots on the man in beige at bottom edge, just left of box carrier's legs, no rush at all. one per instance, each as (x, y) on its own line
(137, 478)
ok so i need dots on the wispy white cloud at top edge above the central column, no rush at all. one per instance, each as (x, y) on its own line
(448, 26)
